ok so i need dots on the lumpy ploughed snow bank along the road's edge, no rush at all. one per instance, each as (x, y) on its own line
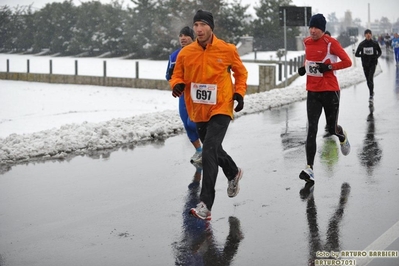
(71, 139)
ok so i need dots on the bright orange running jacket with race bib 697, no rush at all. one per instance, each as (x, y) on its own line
(196, 67)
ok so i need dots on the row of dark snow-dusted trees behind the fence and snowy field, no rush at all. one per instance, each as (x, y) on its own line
(149, 29)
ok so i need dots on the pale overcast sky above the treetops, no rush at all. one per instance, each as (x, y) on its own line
(359, 8)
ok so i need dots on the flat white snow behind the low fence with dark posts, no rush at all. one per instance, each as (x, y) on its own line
(116, 67)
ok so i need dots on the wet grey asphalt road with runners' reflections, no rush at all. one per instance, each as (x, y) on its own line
(129, 207)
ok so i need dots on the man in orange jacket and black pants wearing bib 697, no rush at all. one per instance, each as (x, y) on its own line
(203, 71)
